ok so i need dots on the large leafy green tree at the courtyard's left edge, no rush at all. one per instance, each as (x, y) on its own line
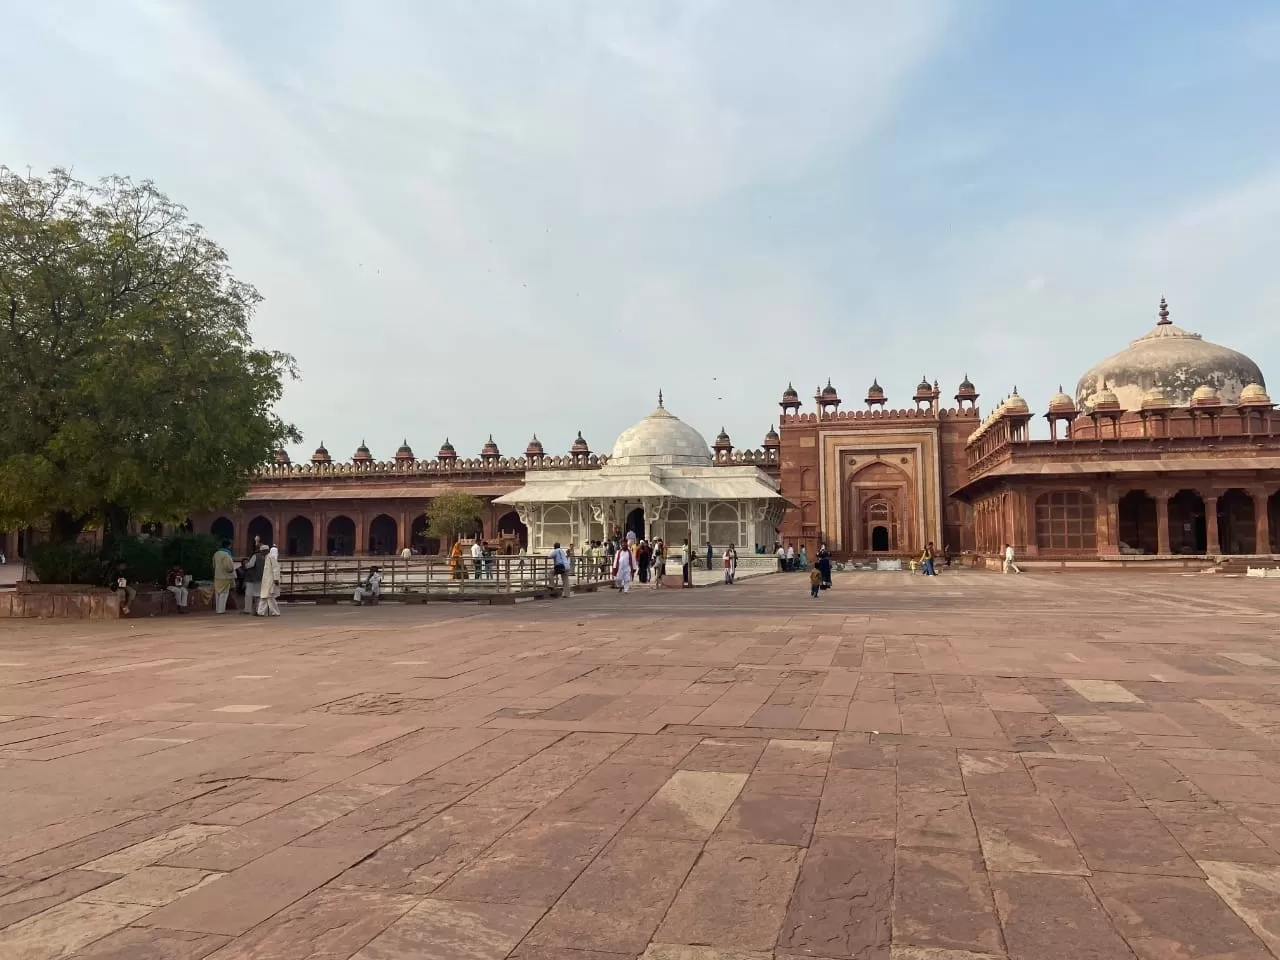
(130, 382)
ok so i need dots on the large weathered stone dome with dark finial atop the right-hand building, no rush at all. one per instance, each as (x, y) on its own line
(1176, 363)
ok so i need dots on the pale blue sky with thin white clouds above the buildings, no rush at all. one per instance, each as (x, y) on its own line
(516, 217)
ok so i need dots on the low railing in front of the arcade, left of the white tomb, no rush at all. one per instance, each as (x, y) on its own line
(423, 579)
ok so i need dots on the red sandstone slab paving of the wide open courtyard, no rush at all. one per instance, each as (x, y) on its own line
(961, 769)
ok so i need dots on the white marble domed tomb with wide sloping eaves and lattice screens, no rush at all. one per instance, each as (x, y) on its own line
(660, 482)
